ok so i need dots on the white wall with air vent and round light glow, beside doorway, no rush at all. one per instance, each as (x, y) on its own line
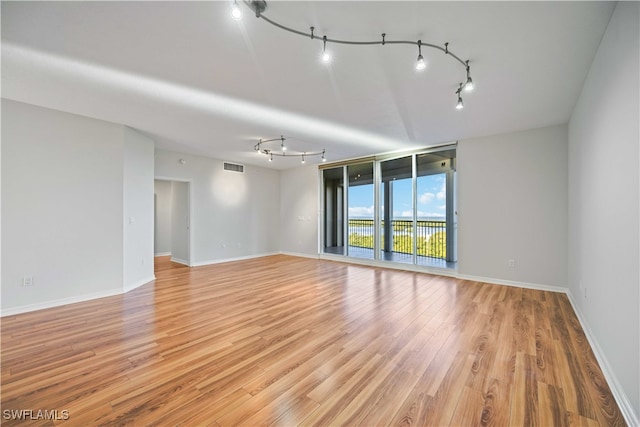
(233, 215)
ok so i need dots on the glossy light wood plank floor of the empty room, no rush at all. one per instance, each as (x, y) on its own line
(286, 341)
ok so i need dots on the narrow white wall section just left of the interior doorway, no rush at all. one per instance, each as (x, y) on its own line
(138, 208)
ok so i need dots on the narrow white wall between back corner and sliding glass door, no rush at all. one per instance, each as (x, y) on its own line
(299, 211)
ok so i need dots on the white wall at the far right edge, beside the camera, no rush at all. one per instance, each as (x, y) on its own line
(604, 255)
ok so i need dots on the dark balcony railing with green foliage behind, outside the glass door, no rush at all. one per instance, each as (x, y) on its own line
(431, 236)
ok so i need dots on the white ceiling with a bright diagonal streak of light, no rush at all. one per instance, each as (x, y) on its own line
(199, 82)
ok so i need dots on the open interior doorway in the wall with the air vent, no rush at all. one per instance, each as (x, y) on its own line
(172, 220)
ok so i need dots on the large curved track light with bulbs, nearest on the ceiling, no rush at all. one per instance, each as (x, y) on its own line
(259, 6)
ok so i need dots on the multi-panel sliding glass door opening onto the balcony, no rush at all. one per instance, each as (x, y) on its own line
(397, 209)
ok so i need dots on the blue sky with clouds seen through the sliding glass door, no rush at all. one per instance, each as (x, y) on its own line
(431, 199)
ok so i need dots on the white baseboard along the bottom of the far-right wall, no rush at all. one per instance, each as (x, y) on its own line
(619, 395)
